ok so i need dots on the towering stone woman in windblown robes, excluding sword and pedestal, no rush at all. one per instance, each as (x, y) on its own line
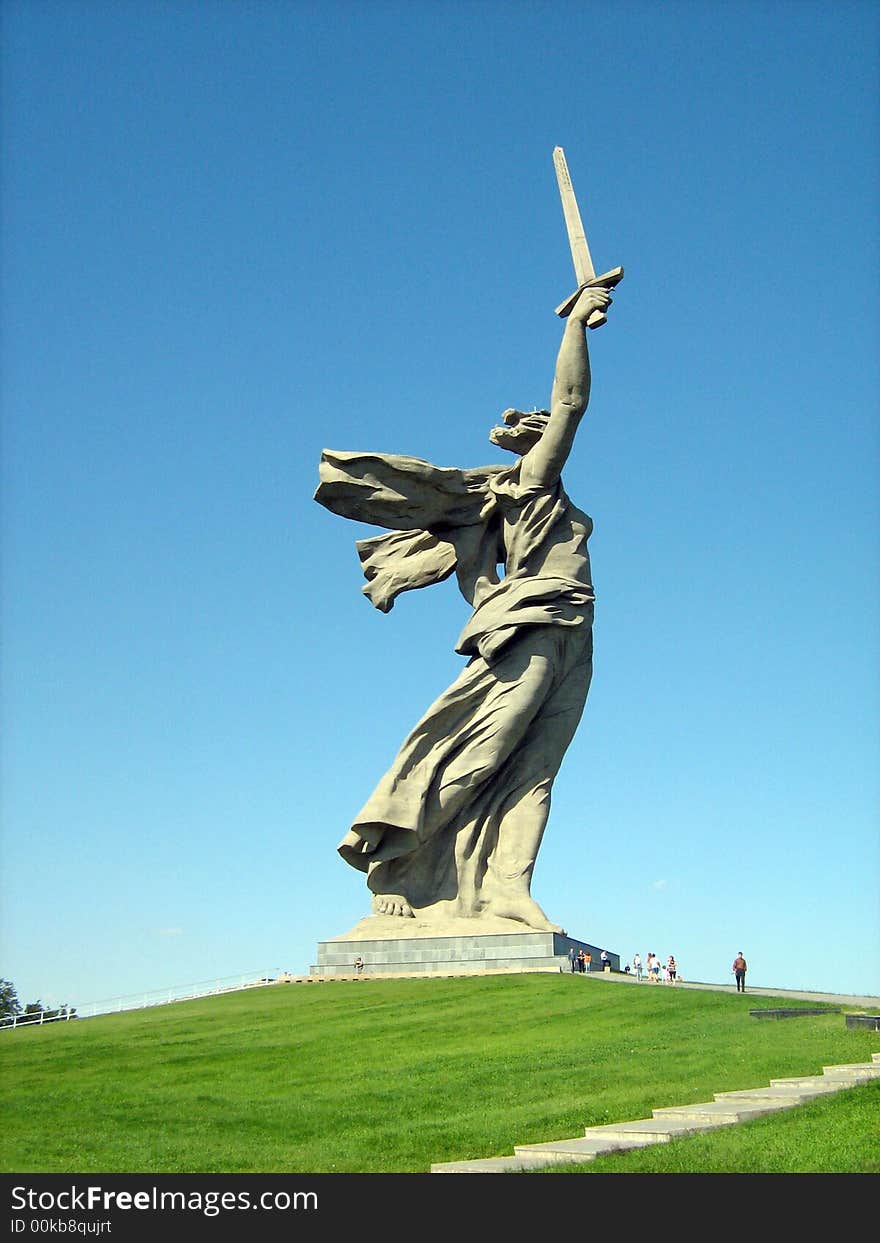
(454, 827)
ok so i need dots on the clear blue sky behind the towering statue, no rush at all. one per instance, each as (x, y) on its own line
(238, 233)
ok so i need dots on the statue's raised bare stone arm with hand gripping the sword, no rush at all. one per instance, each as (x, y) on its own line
(543, 466)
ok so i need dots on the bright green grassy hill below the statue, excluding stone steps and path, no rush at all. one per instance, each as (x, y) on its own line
(391, 1076)
